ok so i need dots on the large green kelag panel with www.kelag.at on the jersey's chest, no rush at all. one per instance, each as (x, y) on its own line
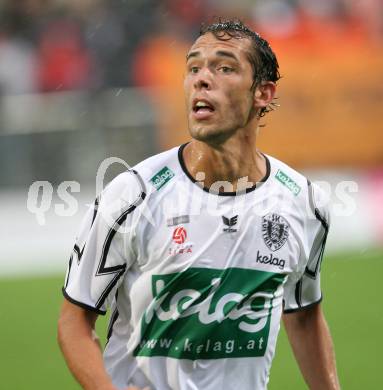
(207, 313)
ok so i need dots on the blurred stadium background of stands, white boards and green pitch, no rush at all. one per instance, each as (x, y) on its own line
(83, 80)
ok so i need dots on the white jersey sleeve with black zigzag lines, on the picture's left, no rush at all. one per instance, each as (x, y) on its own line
(104, 247)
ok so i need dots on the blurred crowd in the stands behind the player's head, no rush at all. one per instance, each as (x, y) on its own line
(54, 45)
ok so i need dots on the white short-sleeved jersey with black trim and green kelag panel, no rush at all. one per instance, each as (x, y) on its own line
(196, 280)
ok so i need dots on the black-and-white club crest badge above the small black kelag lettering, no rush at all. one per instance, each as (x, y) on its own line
(275, 231)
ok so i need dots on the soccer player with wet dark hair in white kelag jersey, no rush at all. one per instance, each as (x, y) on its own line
(201, 250)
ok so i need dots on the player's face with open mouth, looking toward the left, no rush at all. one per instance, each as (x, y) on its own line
(217, 85)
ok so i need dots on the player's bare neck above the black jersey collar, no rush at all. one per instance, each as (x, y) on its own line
(236, 161)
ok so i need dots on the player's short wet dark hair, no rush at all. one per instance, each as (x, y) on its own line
(261, 56)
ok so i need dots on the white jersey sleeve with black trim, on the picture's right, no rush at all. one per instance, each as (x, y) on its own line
(306, 291)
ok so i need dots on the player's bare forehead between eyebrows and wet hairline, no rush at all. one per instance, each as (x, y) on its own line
(209, 42)
